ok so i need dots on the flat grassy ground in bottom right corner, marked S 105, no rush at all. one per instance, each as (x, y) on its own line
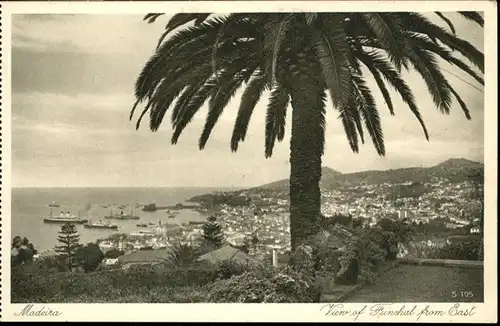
(409, 283)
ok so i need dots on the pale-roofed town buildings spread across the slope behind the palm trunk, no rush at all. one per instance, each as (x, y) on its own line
(265, 215)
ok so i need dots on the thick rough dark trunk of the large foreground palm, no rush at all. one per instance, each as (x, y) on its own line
(306, 147)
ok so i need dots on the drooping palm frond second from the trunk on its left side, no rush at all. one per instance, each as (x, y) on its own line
(249, 100)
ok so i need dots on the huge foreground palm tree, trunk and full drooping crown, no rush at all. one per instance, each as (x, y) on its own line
(299, 58)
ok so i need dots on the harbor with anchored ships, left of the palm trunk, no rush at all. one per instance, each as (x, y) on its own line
(39, 214)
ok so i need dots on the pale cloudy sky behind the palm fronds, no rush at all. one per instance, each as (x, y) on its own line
(72, 90)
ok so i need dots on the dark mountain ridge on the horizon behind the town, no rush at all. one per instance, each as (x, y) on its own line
(456, 169)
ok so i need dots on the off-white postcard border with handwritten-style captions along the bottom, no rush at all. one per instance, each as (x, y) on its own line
(486, 312)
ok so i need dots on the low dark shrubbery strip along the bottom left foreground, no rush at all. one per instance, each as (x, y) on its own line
(30, 284)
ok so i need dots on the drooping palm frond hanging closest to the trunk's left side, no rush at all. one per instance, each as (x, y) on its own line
(275, 118)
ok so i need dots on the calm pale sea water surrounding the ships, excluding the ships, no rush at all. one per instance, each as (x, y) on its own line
(31, 205)
